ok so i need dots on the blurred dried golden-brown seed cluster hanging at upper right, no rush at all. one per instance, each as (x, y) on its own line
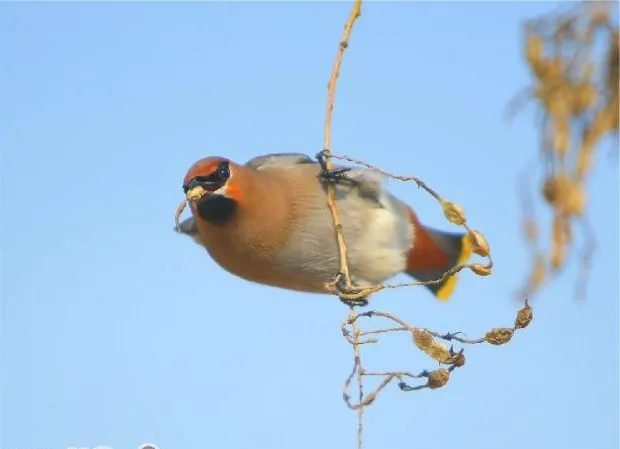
(573, 57)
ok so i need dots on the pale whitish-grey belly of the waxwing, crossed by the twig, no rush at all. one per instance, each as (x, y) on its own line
(377, 236)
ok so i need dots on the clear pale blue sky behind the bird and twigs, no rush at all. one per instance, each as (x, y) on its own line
(116, 331)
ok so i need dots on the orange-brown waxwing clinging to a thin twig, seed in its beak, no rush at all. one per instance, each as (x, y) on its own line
(267, 221)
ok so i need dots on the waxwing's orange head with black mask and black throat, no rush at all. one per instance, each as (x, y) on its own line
(217, 176)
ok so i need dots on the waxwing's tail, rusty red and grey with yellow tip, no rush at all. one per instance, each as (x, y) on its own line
(434, 252)
